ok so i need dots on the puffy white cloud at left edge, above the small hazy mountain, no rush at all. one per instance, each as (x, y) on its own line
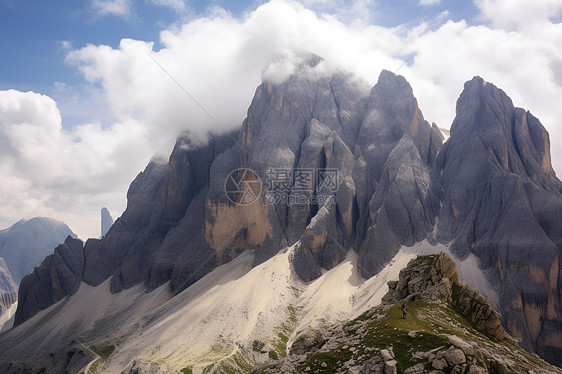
(48, 171)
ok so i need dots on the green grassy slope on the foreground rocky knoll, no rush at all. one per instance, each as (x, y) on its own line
(432, 323)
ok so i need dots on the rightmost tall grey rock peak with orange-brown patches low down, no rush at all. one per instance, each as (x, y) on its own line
(502, 202)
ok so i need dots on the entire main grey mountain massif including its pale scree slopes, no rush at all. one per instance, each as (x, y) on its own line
(327, 185)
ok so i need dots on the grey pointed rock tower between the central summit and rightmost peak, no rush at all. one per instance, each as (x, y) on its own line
(399, 147)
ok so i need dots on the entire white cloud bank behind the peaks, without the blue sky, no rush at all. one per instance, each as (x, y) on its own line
(219, 60)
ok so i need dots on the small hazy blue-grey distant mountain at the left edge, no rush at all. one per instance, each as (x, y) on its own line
(26, 243)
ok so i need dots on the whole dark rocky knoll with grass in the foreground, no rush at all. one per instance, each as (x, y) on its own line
(441, 334)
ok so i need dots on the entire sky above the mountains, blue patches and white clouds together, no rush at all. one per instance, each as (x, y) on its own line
(84, 107)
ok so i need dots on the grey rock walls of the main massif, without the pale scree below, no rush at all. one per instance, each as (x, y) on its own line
(490, 187)
